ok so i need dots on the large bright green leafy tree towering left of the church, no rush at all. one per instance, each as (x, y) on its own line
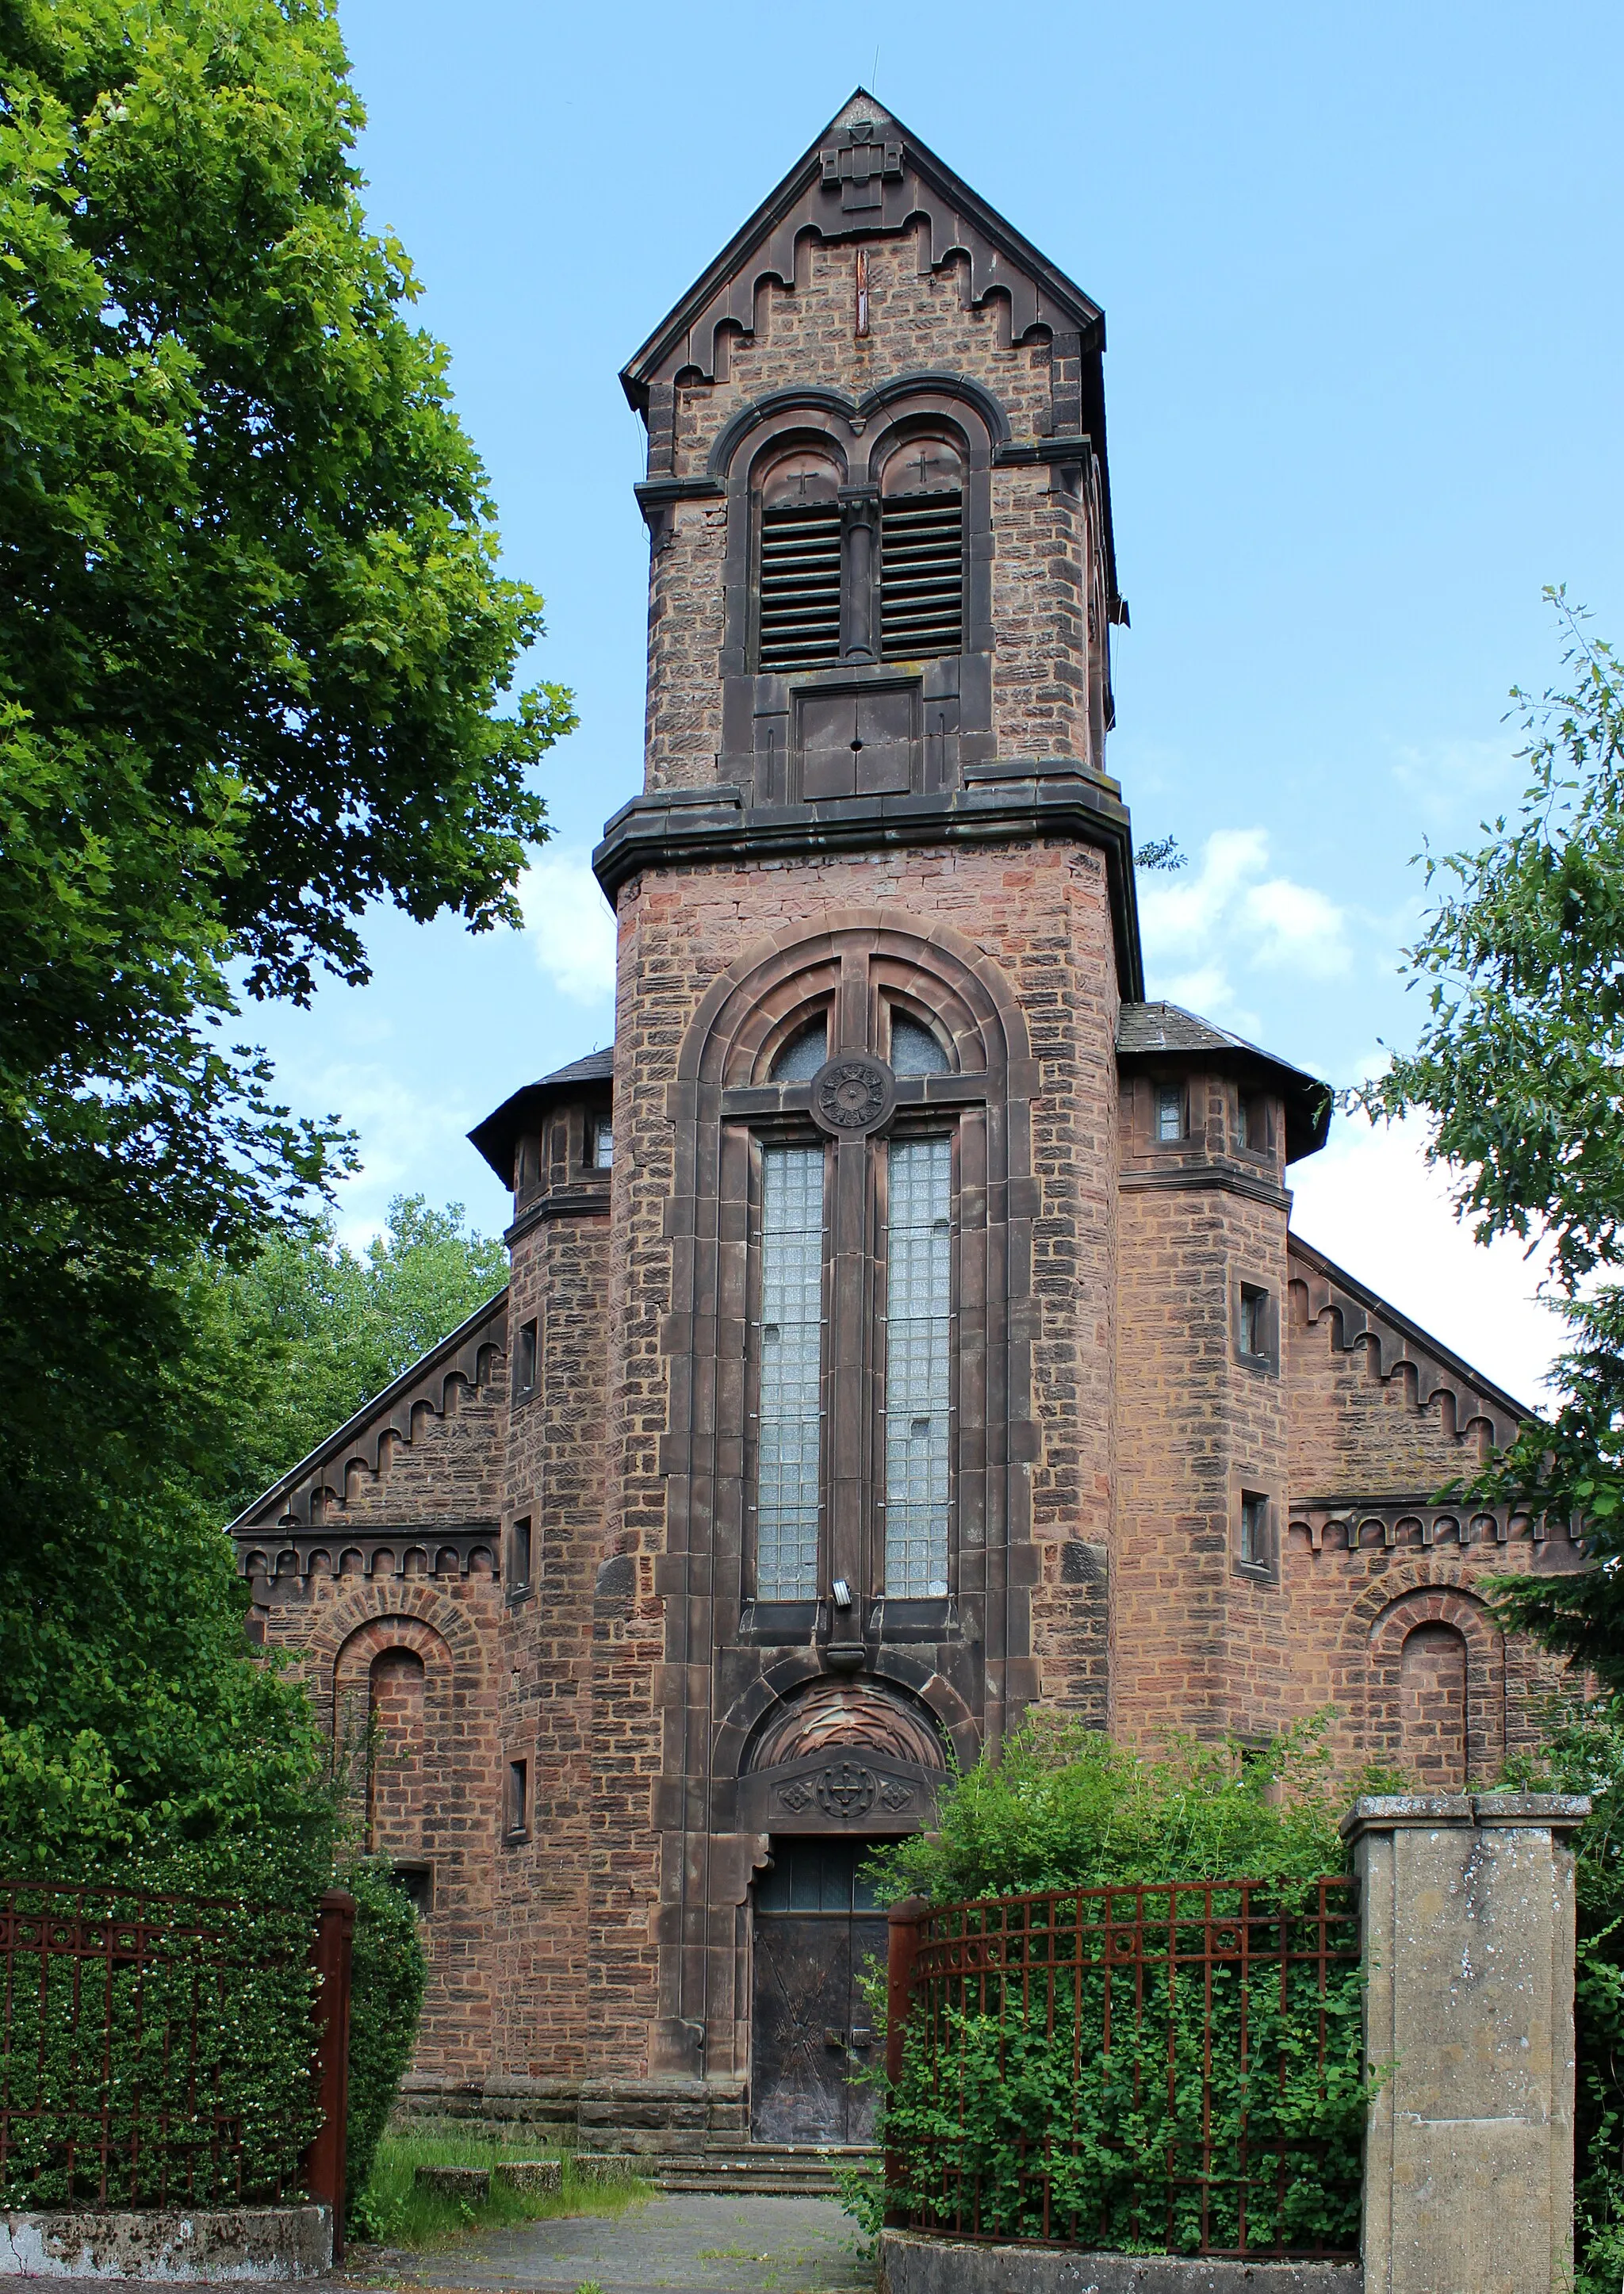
(256, 671)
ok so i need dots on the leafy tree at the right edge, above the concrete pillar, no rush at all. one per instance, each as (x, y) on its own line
(1522, 1072)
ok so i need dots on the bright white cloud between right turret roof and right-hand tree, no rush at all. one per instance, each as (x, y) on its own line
(1371, 1203)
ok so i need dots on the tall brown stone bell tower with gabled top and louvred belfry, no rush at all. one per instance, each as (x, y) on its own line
(875, 928)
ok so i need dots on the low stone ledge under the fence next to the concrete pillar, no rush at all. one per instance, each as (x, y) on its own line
(919, 2265)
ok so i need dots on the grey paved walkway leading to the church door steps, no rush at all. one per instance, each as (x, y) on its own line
(669, 2247)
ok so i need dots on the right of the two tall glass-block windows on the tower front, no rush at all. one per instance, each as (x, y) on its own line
(919, 1304)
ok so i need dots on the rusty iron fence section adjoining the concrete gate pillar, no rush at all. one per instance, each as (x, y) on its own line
(1143, 2068)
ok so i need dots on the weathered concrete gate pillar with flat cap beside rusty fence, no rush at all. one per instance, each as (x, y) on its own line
(1469, 2006)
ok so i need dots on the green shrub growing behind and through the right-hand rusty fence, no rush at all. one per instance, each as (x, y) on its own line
(1068, 2102)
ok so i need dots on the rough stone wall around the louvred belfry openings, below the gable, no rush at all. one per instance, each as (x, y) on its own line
(1040, 536)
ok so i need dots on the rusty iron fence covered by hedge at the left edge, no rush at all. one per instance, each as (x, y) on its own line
(171, 2050)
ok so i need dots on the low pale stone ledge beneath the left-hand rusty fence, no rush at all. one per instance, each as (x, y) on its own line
(180, 2247)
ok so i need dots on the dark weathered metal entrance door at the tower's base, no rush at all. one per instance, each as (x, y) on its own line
(815, 1928)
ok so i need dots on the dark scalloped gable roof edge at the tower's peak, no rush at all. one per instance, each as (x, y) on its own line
(815, 198)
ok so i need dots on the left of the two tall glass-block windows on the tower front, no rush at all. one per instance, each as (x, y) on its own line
(793, 1375)
